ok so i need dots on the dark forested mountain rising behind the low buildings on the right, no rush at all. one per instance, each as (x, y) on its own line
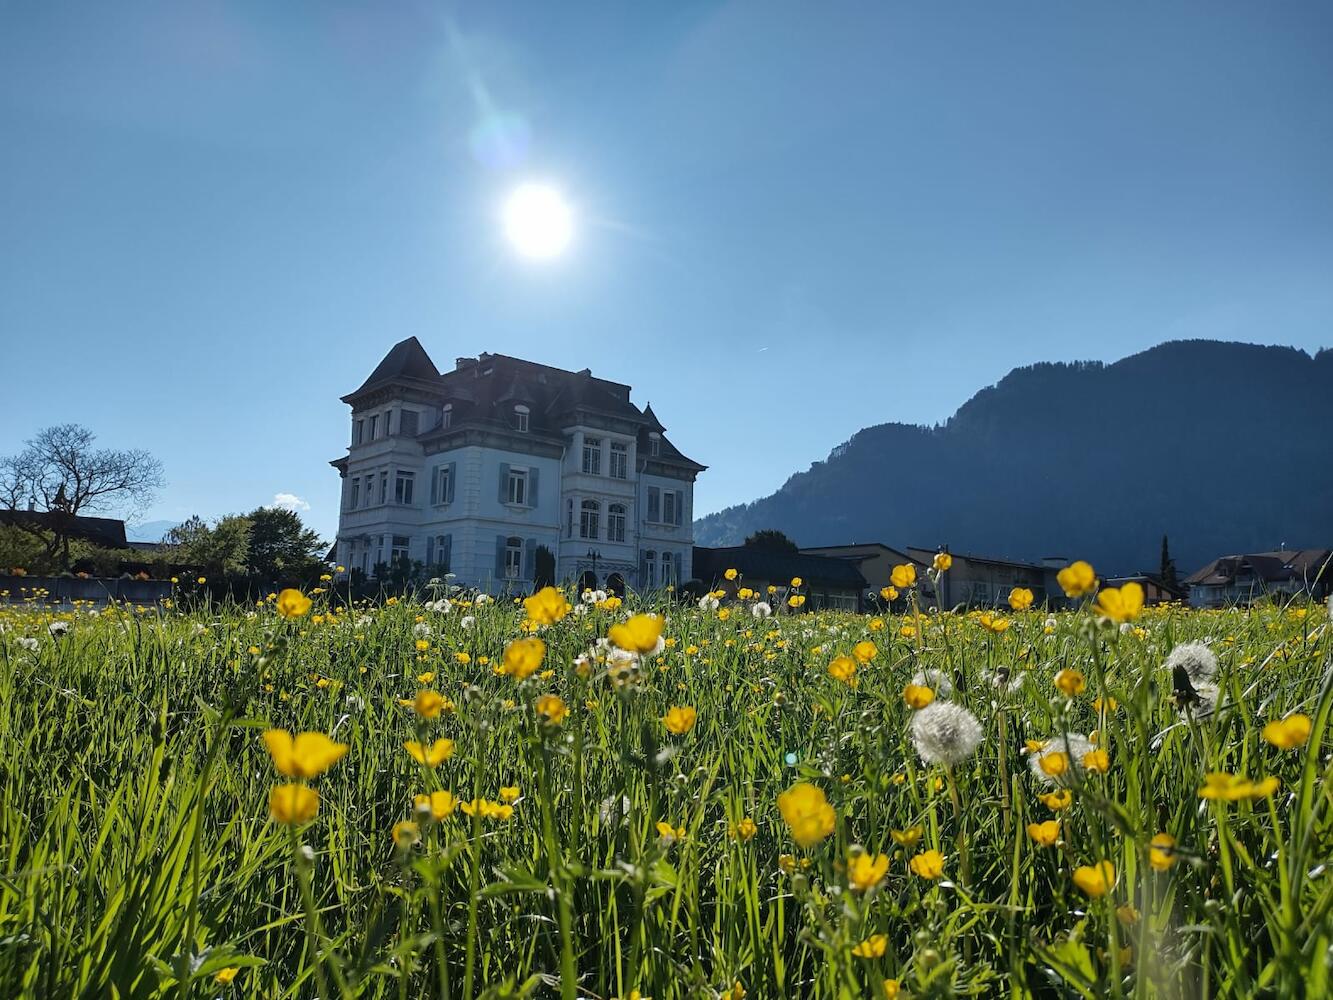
(1223, 447)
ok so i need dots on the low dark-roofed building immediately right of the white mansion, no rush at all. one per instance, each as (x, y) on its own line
(826, 582)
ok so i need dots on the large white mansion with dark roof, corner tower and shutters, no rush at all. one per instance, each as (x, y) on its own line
(507, 473)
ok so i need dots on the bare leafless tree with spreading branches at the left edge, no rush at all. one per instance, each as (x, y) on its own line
(62, 475)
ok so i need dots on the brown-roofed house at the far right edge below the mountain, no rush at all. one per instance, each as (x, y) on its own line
(1243, 579)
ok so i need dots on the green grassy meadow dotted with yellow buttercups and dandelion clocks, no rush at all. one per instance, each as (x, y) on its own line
(790, 805)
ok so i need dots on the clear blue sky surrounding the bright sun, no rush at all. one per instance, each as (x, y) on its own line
(795, 221)
